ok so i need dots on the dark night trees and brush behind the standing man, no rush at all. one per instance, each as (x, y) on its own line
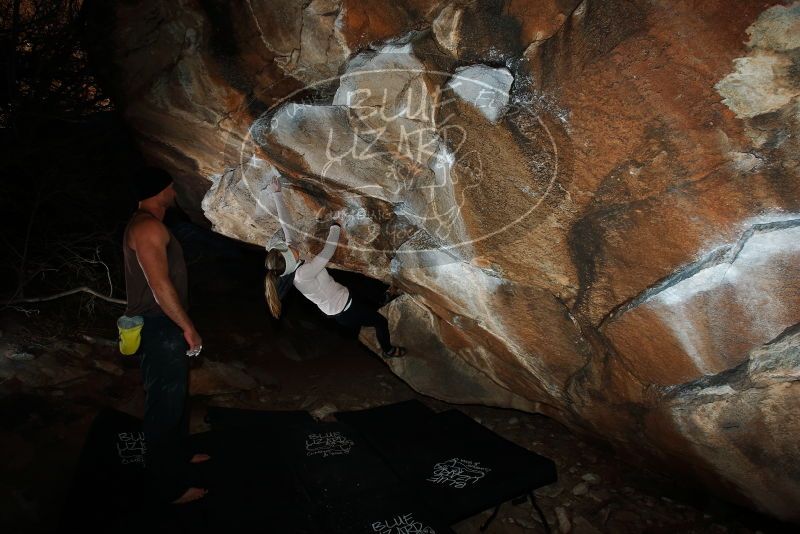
(66, 160)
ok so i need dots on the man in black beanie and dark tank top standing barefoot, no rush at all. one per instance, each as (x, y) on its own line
(156, 284)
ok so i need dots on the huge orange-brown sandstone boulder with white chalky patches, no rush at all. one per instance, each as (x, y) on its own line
(593, 208)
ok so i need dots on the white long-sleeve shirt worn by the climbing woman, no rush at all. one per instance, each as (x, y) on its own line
(311, 278)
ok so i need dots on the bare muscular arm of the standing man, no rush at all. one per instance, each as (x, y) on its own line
(149, 239)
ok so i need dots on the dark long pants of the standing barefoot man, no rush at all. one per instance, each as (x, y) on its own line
(165, 375)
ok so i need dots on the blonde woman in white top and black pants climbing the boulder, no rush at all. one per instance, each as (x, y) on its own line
(312, 279)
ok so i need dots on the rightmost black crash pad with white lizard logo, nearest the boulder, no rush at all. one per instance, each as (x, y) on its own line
(456, 466)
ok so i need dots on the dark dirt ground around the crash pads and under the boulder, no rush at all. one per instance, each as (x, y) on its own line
(49, 395)
